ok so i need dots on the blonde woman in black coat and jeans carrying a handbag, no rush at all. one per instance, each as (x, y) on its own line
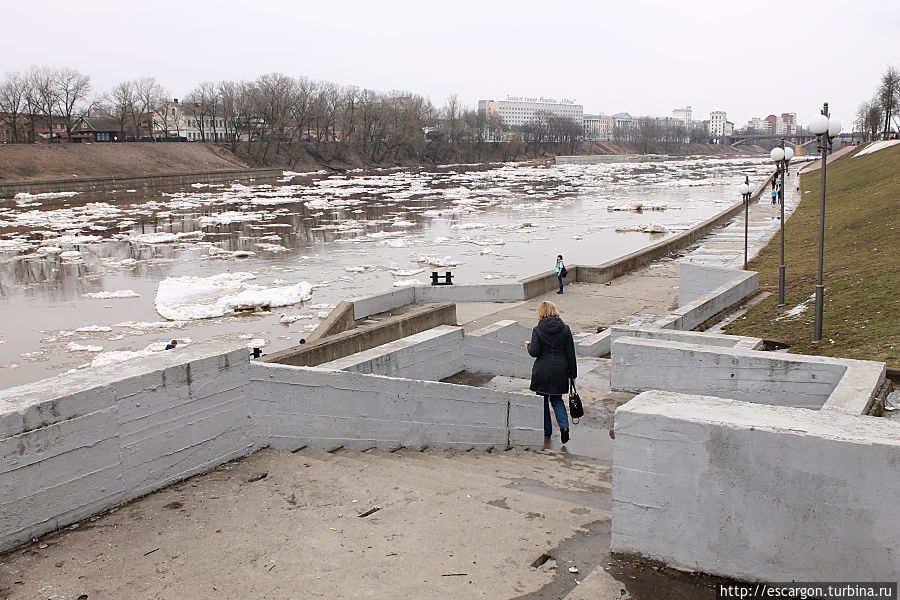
(553, 349)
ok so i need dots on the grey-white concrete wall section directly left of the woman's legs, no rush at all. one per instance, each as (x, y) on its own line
(311, 406)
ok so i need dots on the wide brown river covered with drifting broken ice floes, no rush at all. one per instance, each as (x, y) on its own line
(94, 278)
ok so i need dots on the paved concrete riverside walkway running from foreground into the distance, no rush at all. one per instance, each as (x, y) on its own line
(350, 524)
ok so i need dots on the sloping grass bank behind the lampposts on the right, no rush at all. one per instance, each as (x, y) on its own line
(862, 260)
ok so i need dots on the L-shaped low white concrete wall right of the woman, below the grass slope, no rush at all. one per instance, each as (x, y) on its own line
(796, 380)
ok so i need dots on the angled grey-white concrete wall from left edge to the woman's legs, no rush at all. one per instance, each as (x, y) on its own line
(75, 445)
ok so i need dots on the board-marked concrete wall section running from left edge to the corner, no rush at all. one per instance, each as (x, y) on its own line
(75, 445)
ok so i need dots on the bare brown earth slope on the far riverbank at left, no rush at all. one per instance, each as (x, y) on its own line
(39, 162)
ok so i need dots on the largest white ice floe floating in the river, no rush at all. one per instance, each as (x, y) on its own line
(188, 298)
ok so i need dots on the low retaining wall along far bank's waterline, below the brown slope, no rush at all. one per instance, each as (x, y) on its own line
(8, 190)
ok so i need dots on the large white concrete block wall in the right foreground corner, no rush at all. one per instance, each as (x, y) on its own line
(756, 492)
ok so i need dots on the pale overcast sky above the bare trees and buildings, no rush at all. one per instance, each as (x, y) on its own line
(746, 57)
